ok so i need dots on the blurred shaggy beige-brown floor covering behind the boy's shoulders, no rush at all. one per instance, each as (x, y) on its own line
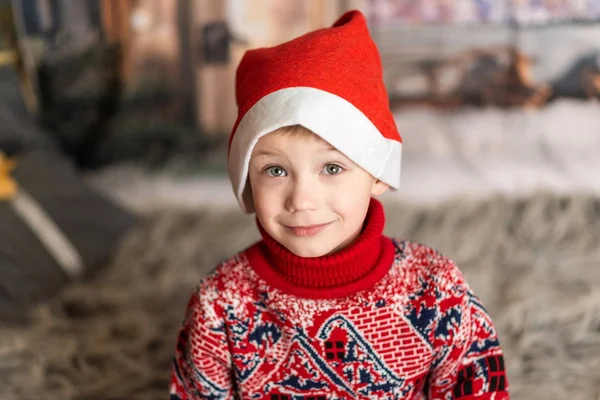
(533, 261)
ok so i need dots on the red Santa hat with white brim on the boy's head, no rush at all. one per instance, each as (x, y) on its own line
(330, 82)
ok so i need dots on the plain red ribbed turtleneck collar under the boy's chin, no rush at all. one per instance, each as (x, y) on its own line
(353, 268)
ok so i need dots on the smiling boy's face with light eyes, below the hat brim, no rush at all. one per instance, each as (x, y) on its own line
(308, 196)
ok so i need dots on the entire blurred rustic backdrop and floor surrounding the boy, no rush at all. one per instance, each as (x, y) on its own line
(115, 201)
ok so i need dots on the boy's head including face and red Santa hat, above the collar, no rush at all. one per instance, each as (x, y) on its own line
(319, 98)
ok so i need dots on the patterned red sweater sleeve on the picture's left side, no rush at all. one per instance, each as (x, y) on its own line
(201, 366)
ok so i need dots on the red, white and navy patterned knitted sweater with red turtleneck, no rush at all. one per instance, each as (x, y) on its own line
(382, 319)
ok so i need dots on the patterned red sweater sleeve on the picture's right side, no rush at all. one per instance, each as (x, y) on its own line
(469, 363)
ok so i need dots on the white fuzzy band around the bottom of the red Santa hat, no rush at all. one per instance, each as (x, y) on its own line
(333, 118)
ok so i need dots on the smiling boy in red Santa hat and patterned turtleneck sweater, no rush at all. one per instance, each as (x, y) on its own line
(325, 306)
